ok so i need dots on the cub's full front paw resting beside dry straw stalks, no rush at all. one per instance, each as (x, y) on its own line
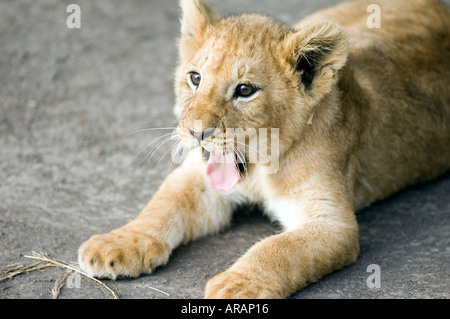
(115, 254)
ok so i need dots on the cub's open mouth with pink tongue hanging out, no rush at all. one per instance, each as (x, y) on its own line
(223, 172)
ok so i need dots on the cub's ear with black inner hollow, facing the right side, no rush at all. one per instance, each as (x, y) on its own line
(317, 51)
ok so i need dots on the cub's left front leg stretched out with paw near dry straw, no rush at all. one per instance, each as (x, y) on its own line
(184, 208)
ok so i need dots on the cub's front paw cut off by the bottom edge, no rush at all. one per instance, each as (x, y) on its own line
(233, 285)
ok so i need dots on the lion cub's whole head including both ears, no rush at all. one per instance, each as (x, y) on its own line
(250, 75)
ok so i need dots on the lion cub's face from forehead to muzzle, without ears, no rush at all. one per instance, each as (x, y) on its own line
(232, 82)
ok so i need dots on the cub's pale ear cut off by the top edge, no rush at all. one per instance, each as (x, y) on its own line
(196, 17)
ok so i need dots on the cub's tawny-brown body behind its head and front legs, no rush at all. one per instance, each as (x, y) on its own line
(403, 68)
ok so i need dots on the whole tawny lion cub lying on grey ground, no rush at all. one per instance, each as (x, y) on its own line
(348, 114)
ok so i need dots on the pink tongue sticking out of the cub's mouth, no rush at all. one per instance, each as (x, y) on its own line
(221, 172)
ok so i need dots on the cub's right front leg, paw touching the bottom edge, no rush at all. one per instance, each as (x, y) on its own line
(325, 240)
